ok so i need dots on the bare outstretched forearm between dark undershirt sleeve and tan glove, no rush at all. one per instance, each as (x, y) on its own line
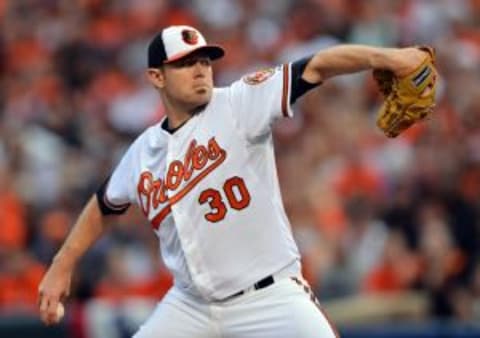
(346, 59)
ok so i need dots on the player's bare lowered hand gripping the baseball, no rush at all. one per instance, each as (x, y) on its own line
(53, 288)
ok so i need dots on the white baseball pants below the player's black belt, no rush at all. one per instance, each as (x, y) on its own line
(286, 309)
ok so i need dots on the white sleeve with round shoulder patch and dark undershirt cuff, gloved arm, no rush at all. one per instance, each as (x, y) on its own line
(260, 98)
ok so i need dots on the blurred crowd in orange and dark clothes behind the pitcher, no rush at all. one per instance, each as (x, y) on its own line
(370, 214)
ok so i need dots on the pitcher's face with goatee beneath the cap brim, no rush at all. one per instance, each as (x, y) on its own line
(188, 81)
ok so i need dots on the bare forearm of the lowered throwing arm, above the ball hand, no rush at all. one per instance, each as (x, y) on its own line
(88, 228)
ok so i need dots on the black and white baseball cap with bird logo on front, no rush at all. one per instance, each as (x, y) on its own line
(176, 42)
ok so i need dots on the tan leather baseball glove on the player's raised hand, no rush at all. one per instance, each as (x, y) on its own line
(408, 99)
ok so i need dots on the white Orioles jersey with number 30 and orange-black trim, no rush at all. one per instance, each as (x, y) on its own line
(210, 189)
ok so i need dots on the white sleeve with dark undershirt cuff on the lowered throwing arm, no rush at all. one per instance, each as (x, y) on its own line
(116, 194)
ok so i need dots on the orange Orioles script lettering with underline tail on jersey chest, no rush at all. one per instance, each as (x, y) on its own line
(198, 162)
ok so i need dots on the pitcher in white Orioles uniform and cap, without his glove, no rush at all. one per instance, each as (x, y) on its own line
(205, 177)
